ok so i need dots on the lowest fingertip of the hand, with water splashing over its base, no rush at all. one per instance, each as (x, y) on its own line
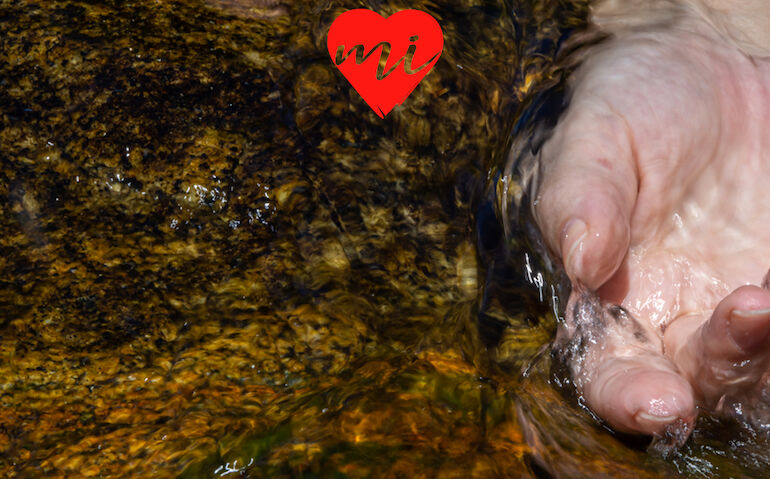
(621, 370)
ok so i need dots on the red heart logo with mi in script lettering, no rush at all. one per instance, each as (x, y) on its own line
(408, 42)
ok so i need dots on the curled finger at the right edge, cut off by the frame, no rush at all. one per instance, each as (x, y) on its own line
(728, 353)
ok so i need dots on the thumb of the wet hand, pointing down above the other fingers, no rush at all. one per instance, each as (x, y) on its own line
(587, 192)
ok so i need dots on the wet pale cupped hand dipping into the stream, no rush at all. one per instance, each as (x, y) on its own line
(654, 192)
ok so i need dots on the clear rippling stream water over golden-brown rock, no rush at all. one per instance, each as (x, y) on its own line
(217, 261)
